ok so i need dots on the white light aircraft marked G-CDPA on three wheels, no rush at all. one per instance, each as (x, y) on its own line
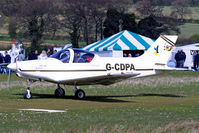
(77, 67)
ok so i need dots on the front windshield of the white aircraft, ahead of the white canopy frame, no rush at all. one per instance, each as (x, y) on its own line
(63, 55)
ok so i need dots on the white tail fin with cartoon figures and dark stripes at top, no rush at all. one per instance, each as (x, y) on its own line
(160, 51)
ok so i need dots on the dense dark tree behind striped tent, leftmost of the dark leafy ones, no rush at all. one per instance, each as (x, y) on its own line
(111, 23)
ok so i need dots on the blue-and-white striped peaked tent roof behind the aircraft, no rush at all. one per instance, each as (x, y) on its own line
(124, 40)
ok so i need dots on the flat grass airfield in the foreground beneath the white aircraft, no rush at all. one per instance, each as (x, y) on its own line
(164, 103)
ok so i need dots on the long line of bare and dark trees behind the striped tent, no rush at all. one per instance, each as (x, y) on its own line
(89, 20)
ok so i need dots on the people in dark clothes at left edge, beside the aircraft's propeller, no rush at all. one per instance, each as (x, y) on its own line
(6, 59)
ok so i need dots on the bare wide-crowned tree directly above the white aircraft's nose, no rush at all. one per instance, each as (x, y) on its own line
(36, 19)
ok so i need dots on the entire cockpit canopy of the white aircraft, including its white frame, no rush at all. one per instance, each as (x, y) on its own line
(73, 56)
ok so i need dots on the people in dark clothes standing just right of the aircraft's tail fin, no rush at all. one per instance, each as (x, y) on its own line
(180, 58)
